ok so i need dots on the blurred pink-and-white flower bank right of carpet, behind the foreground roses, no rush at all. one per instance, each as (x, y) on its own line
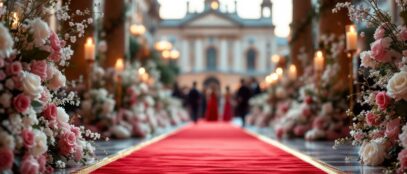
(320, 110)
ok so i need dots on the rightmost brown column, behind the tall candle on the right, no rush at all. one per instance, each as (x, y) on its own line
(335, 23)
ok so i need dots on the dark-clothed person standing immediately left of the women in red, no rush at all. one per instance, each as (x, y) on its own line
(194, 102)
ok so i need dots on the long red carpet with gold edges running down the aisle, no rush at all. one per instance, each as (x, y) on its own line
(210, 148)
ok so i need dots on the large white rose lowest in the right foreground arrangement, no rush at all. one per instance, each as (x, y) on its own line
(372, 153)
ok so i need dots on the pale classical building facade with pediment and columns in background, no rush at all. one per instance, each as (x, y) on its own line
(221, 47)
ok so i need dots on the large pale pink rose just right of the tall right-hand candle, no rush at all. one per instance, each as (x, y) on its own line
(380, 50)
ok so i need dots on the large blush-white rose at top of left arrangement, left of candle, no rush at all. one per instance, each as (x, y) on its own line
(40, 31)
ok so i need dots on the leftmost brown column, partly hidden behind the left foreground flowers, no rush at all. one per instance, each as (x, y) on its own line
(78, 65)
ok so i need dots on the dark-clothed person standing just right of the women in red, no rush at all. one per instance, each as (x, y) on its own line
(242, 97)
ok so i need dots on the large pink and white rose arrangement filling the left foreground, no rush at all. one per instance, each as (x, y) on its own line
(35, 133)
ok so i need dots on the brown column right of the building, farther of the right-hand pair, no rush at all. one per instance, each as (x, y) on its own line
(302, 39)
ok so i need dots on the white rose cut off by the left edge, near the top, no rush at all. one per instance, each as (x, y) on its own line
(6, 42)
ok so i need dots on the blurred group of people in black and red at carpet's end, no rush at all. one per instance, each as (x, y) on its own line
(214, 104)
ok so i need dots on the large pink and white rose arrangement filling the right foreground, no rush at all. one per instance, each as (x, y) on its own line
(381, 128)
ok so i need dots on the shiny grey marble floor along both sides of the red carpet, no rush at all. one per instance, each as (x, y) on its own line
(343, 158)
